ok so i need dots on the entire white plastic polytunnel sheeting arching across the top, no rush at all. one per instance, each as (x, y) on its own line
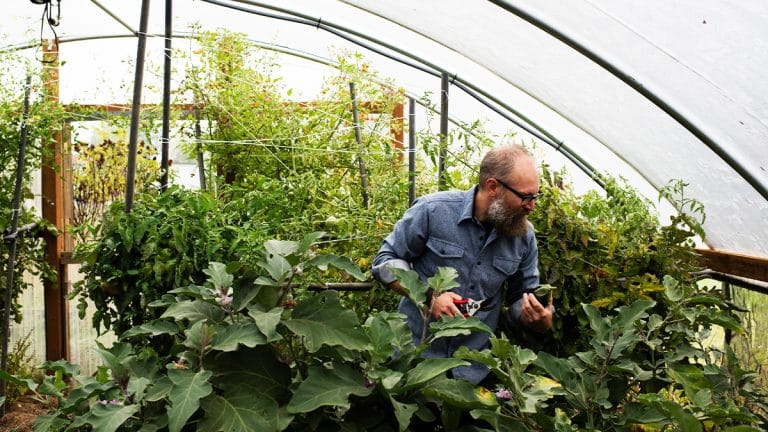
(705, 59)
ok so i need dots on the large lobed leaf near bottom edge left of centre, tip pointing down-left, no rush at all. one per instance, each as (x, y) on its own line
(328, 387)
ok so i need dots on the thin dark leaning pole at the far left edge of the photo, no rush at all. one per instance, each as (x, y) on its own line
(12, 239)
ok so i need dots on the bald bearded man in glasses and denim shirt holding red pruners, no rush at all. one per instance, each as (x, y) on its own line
(484, 234)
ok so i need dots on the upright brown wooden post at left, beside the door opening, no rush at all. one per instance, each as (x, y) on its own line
(56, 317)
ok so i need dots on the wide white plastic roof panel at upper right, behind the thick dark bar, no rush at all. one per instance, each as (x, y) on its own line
(682, 51)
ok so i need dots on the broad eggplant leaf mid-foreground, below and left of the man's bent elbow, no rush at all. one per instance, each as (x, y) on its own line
(321, 320)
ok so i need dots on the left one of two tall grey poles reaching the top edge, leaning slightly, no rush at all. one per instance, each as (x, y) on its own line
(136, 106)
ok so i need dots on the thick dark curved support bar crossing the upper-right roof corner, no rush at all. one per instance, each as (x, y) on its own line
(643, 89)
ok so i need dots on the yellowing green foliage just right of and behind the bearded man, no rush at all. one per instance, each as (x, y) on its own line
(607, 251)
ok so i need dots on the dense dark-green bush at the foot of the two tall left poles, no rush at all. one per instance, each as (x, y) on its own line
(170, 238)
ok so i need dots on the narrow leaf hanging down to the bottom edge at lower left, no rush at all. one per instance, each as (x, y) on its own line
(188, 388)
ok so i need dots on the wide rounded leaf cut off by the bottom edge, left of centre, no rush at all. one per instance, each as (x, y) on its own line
(243, 412)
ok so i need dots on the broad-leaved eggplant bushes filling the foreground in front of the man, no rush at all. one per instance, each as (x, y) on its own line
(246, 358)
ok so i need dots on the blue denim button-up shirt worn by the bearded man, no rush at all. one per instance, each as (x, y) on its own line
(439, 230)
